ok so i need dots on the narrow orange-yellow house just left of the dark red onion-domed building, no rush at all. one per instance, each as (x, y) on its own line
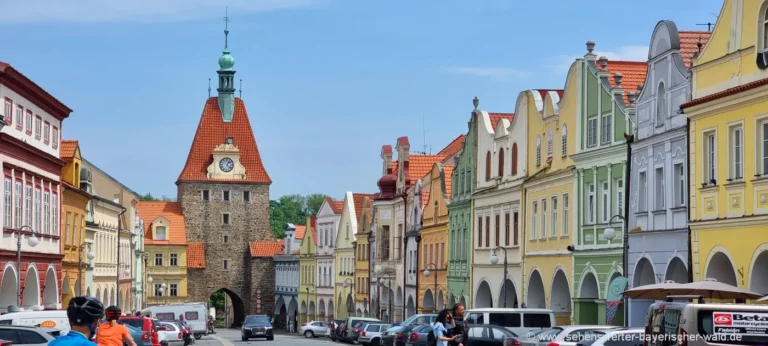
(362, 256)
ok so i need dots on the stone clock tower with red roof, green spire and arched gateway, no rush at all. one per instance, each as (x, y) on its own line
(224, 194)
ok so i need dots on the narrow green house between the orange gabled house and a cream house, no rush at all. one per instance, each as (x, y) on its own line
(460, 219)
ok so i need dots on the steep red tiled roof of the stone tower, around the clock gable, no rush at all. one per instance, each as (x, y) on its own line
(213, 131)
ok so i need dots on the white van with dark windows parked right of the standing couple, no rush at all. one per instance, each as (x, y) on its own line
(520, 321)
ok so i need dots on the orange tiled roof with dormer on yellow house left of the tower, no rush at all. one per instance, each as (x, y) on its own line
(150, 211)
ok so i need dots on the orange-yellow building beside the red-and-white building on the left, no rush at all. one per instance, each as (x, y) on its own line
(73, 216)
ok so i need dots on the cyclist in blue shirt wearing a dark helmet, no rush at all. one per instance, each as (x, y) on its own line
(84, 314)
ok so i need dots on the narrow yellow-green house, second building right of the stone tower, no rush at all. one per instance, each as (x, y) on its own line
(308, 273)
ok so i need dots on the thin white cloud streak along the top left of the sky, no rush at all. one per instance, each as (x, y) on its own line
(28, 11)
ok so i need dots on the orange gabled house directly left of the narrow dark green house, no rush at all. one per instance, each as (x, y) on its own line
(433, 255)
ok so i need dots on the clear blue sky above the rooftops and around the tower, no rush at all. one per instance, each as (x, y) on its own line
(326, 82)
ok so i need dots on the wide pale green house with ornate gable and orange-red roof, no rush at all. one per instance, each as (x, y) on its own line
(605, 114)
